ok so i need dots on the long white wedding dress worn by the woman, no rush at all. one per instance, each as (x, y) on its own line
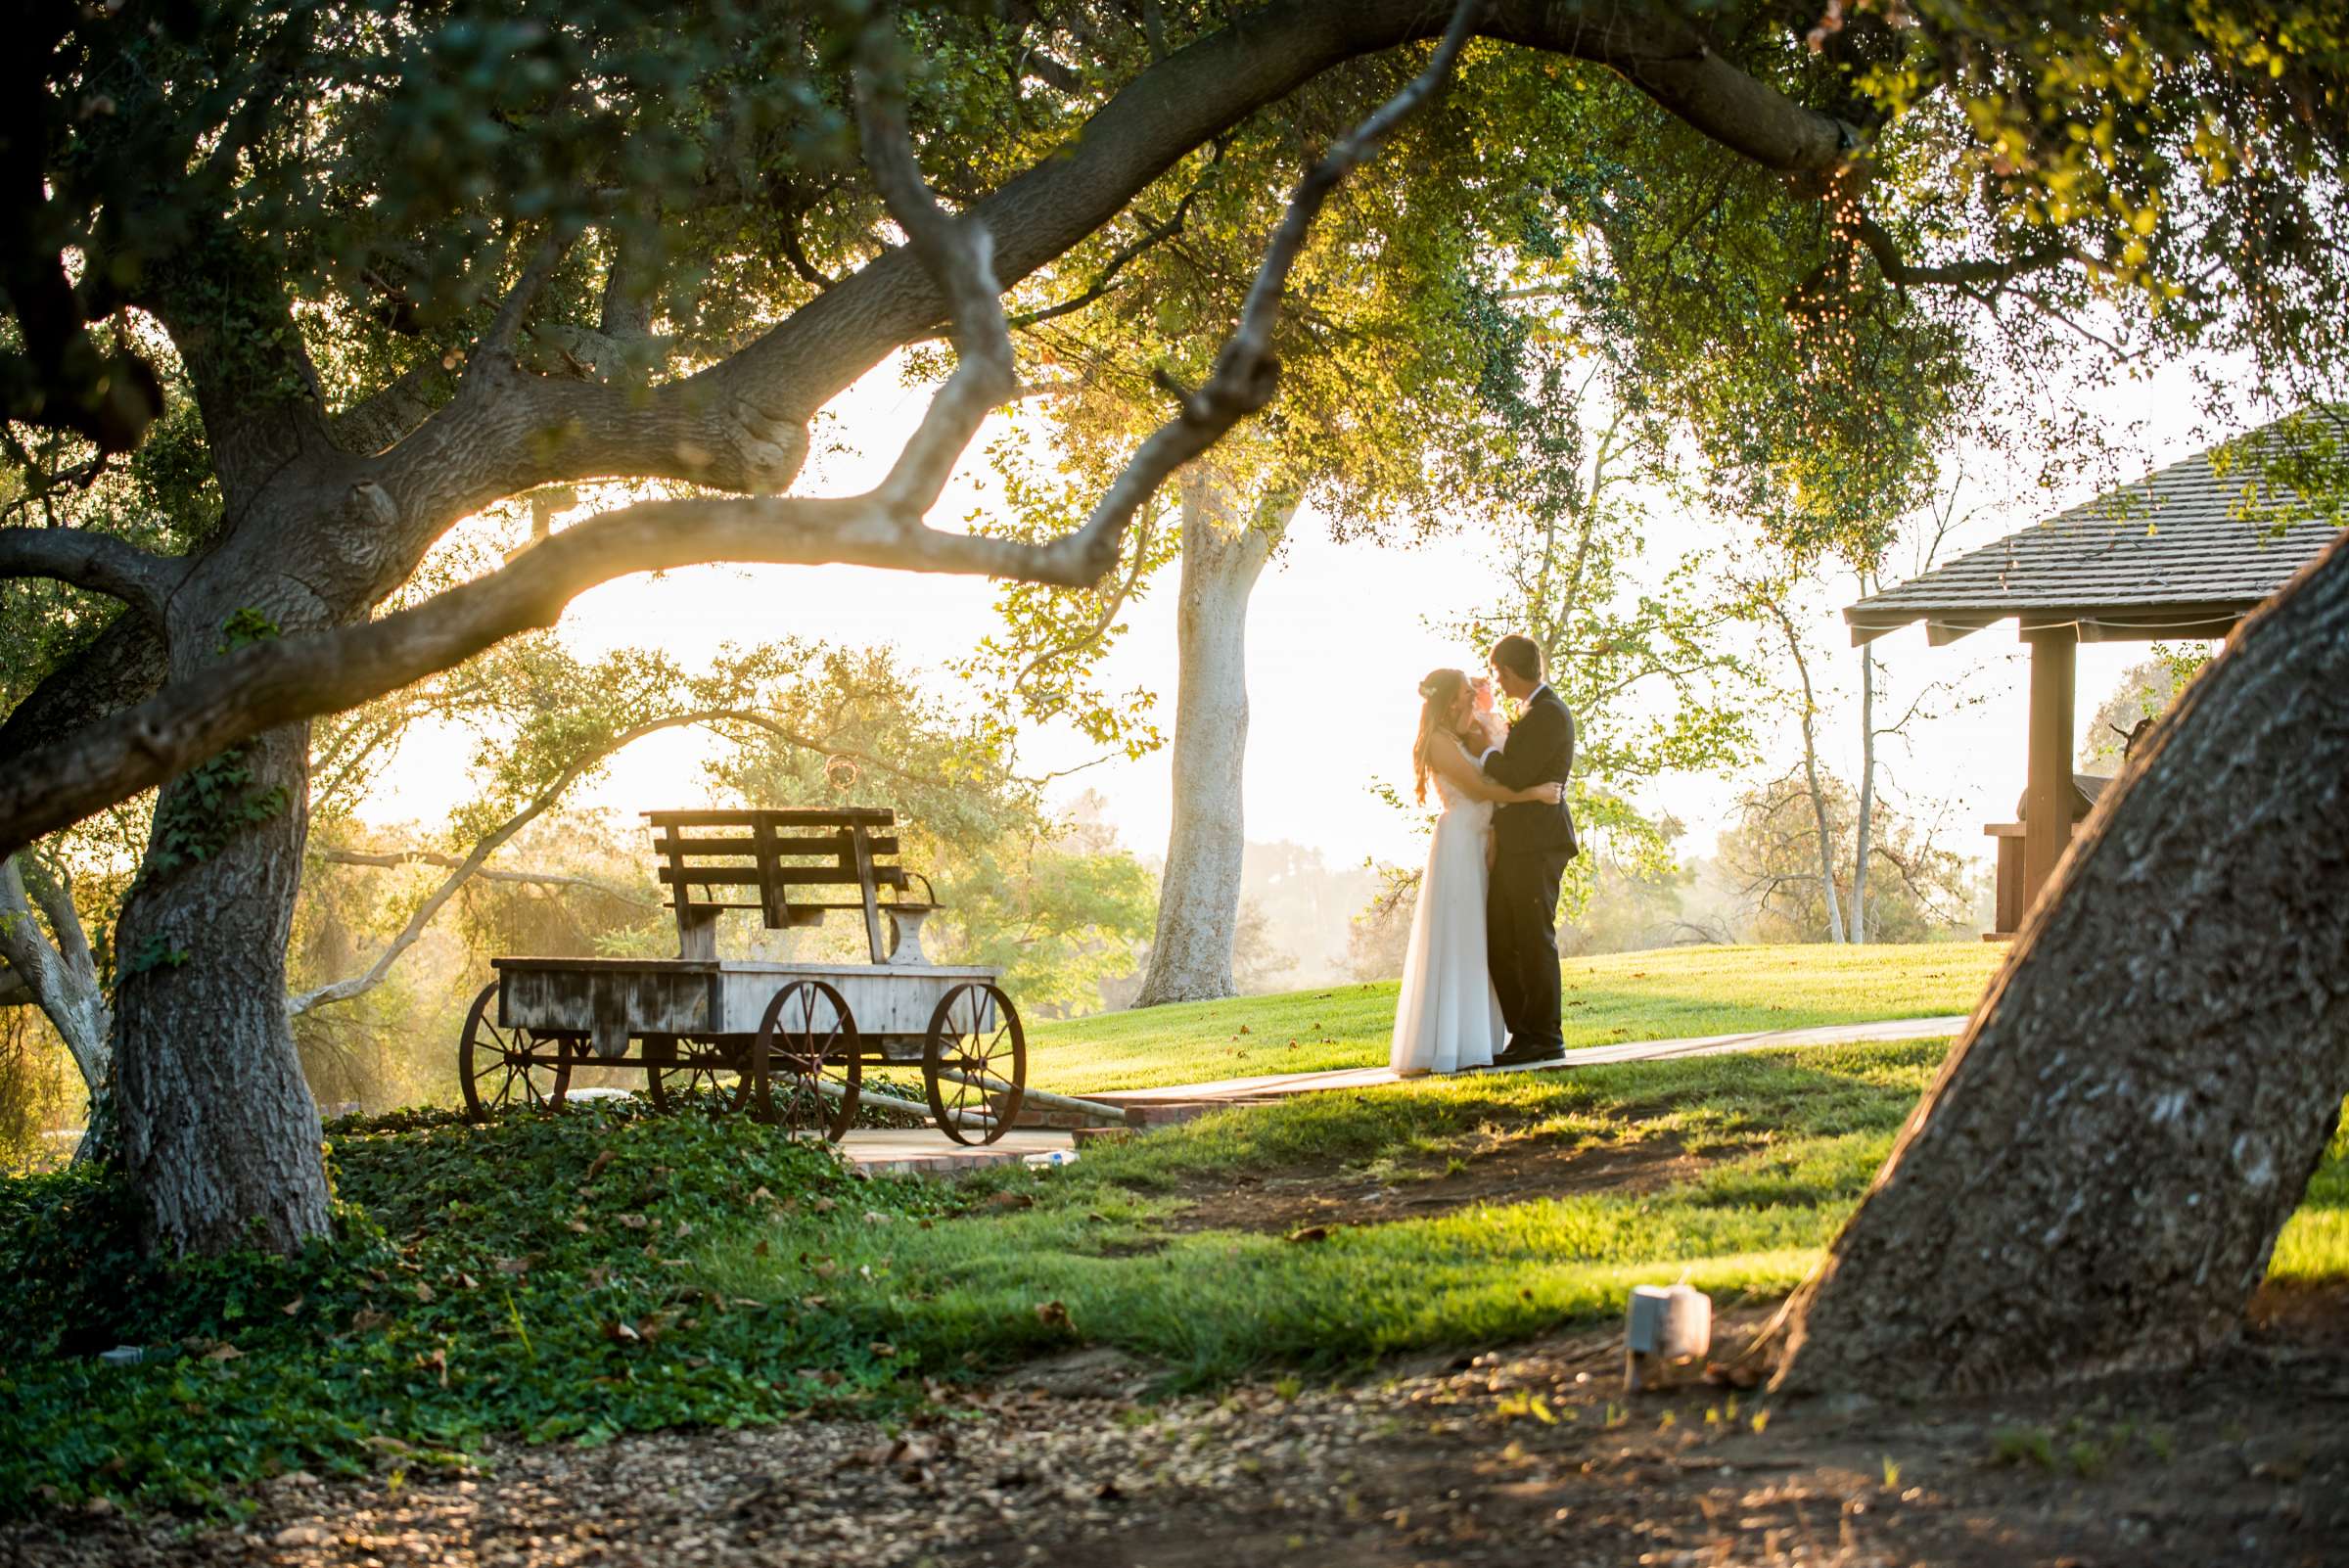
(1448, 1015)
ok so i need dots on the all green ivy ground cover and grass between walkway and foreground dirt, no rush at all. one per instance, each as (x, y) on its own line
(612, 1271)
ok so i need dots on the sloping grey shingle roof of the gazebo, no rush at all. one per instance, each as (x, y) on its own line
(2181, 553)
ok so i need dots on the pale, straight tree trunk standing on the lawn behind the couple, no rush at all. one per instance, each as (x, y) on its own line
(1225, 548)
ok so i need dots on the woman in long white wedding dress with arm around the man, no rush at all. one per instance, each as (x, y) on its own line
(1448, 1015)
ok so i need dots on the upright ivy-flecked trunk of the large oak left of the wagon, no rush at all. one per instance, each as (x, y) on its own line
(215, 1123)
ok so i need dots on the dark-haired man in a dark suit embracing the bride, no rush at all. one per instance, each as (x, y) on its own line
(1533, 851)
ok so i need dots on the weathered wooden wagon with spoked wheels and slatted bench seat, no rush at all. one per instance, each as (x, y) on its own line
(781, 1041)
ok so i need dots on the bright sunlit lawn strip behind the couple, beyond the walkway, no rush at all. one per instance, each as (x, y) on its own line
(1667, 994)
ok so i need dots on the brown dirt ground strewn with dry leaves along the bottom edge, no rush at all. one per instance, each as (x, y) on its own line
(1502, 1459)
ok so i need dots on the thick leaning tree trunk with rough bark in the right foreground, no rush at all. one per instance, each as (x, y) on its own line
(2101, 1170)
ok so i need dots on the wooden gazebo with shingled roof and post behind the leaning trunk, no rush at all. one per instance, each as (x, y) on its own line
(2172, 555)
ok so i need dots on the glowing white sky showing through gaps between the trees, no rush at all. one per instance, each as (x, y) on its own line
(1338, 642)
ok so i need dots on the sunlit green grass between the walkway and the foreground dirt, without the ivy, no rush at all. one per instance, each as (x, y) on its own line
(1105, 1255)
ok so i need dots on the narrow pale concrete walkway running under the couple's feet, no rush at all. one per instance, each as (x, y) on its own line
(929, 1151)
